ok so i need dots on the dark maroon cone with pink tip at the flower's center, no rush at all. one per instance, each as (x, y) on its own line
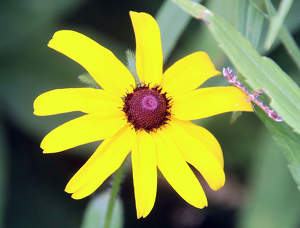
(147, 108)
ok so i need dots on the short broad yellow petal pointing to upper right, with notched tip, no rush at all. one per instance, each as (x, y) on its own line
(188, 74)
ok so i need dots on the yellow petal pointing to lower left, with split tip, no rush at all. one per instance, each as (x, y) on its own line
(107, 159)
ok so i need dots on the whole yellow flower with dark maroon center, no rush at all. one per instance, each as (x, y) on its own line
(152, 120)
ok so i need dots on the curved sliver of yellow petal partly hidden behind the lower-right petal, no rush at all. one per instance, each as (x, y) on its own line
(202, 135)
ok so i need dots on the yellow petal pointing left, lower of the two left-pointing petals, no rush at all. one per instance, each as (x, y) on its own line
(82, 130)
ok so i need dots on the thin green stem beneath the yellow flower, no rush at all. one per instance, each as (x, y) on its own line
(114, 194)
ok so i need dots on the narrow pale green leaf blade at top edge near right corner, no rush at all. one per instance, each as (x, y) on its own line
(277, 22)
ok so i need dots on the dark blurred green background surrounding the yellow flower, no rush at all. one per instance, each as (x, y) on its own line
(259, 190)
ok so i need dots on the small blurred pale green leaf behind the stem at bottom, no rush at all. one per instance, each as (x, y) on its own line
(94, 216)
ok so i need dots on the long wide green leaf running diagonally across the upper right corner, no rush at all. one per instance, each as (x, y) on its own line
(260, 72)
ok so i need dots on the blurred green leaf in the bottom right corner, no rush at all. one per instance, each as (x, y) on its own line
(273, 199)
